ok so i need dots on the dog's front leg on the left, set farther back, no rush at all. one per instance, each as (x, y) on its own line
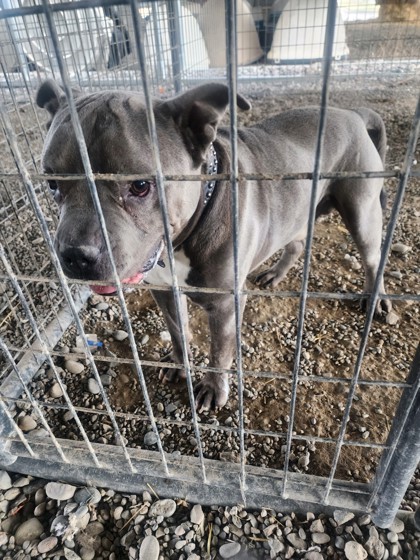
(166, 302)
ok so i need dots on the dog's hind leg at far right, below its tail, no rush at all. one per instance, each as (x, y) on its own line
(361, 209)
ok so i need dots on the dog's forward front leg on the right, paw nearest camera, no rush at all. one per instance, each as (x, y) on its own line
(213, 390)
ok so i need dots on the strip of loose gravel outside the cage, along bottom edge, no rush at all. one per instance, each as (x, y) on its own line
(43, 519)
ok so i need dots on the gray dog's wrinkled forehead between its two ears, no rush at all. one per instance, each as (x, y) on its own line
(111, 122)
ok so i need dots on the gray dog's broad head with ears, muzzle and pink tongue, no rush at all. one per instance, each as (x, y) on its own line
(115, 130)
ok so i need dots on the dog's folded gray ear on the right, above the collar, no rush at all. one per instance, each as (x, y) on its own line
(198, 113)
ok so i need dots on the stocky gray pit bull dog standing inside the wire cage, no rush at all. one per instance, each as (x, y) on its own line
(273, 214)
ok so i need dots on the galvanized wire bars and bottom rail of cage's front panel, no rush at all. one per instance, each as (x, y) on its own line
(192, 477)
